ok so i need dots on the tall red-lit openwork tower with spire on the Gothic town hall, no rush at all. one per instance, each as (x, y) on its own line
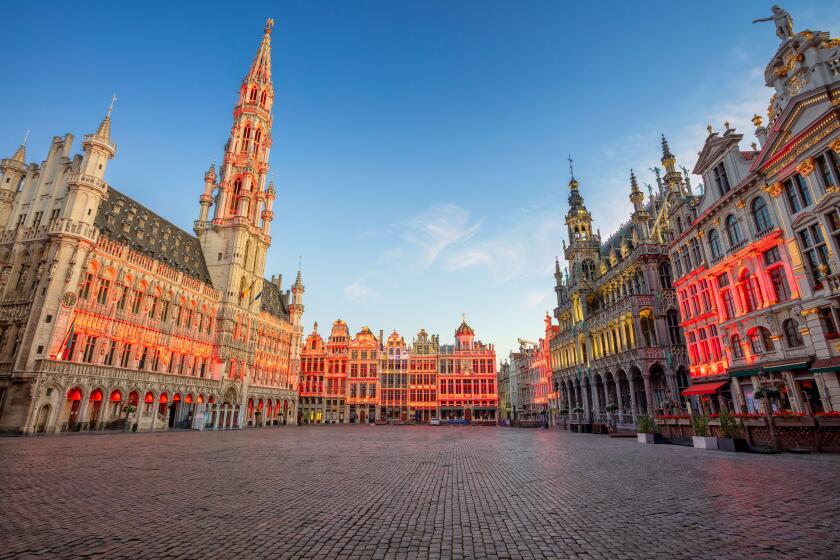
(236, 237)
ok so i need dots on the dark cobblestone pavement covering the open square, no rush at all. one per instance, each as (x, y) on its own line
(408, 492)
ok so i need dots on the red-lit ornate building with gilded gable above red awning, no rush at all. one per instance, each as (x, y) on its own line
(756, 255)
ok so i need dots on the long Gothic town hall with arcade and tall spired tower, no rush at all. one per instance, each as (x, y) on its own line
(112, 317)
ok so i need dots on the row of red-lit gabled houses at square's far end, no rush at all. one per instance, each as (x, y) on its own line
(394, 381)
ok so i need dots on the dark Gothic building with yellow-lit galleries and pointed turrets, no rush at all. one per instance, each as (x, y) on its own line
(617, 347)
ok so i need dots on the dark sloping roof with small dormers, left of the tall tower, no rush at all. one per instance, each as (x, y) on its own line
(124, 220)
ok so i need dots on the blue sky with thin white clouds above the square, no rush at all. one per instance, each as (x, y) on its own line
(419, 147)
